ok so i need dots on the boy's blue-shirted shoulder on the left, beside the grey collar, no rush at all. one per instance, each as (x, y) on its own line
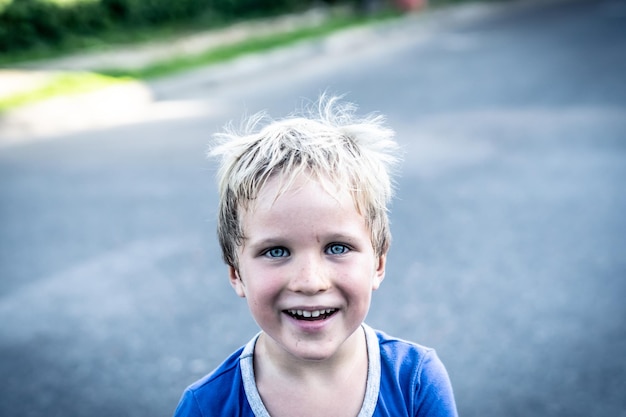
(222, 386)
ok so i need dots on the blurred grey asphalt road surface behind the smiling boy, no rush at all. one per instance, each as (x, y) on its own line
(509, 251)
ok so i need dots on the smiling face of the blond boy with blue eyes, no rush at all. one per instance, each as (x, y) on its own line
(307, 269)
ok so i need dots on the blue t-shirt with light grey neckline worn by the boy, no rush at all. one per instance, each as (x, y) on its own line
(403, 379)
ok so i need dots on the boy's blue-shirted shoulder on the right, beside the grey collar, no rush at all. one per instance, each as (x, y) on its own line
(414, 377)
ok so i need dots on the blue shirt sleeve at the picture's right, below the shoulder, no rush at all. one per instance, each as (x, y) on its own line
(434, 396)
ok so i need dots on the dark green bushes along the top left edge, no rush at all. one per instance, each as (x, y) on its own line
(25, 24)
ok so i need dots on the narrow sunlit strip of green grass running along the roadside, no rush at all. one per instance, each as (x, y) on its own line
(69, 83)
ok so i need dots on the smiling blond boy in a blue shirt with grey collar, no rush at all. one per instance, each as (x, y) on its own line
(304, 231)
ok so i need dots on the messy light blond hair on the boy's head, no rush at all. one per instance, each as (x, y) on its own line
(328, 143)
